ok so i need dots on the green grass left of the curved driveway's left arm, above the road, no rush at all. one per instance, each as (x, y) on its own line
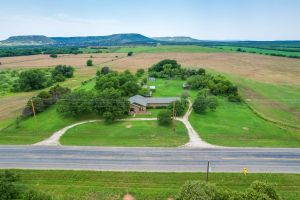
(49, 121)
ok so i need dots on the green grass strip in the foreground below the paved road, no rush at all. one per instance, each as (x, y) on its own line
(78, 185)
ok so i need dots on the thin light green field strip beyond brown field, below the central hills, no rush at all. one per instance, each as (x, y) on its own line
(170, 48)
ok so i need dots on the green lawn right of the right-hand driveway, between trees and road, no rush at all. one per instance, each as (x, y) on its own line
(234, 124)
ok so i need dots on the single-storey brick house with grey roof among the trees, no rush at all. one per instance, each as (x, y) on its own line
(139, 104)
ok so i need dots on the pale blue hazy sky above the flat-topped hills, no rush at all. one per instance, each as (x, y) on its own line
(201, 19)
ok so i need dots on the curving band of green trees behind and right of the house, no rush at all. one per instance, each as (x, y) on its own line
(208, 86)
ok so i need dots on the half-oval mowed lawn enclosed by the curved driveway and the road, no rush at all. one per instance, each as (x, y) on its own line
(126, 134)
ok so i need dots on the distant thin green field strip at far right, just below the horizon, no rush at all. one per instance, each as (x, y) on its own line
(259, 50)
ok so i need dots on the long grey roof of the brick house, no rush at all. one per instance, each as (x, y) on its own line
(144, 101)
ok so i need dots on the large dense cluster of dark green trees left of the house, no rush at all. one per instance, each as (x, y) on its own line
(109, 100)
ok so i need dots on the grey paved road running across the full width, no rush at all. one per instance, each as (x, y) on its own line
(150, 159)
